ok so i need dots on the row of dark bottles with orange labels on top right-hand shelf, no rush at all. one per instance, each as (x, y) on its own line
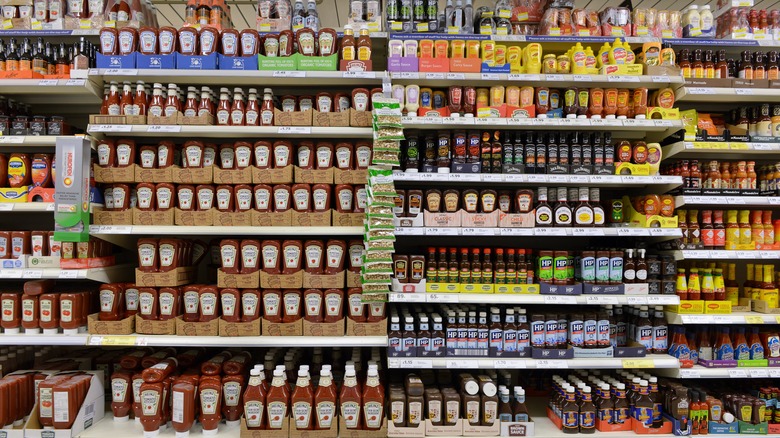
(708, 63)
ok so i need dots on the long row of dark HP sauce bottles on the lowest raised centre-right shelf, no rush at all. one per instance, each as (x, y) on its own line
(466, 330)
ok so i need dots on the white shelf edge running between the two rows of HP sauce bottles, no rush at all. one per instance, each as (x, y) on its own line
(435, 297)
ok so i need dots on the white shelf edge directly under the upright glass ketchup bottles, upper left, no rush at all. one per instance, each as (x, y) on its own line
(213, 131)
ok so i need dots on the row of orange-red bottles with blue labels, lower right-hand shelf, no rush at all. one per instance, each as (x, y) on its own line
(703, 343)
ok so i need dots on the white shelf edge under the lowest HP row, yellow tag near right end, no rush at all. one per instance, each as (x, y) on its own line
(650, 361)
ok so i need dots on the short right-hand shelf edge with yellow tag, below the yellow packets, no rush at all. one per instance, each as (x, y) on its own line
(716, 150)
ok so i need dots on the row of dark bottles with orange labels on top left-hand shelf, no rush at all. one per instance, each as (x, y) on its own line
(46, 58)
